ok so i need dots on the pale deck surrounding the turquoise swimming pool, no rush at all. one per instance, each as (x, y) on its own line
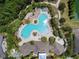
(39, 35)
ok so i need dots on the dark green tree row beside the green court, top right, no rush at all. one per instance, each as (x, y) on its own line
(72, 8)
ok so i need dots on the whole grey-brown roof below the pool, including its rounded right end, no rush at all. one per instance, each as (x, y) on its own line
(40, 46)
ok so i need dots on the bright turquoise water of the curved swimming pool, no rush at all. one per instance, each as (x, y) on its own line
(40, 27)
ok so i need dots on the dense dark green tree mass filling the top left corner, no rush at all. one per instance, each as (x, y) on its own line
(10, 9)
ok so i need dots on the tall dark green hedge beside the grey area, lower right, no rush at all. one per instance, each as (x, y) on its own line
(70, 41)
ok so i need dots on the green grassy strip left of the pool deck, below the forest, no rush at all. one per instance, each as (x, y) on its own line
(12, 40)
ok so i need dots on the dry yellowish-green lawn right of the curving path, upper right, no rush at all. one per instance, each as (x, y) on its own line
(73, 22)
